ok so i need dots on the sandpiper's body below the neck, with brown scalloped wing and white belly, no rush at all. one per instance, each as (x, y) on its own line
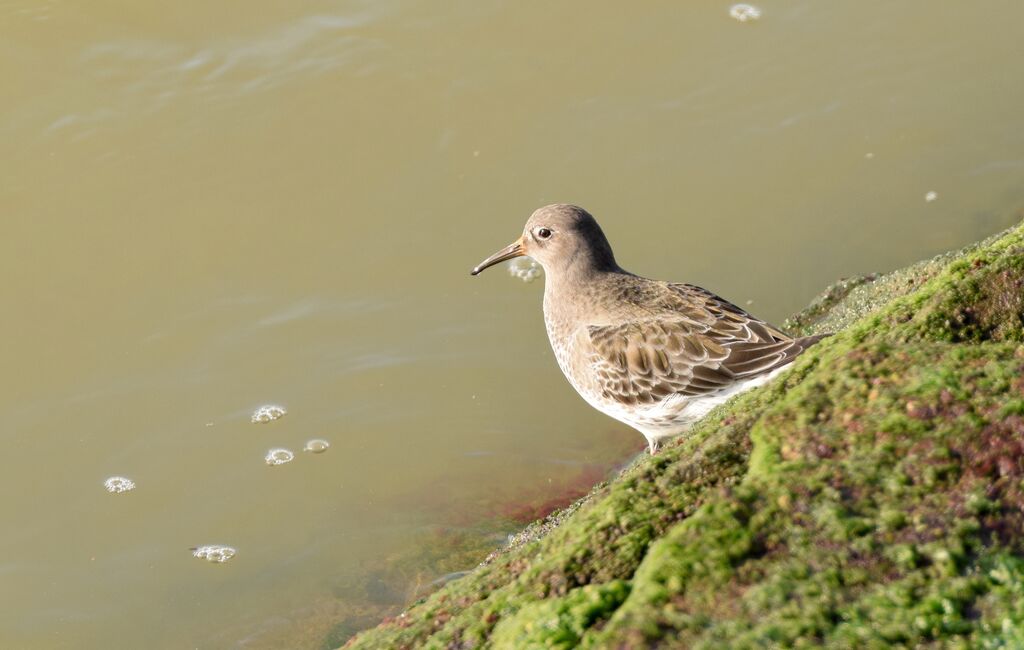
(659, 356)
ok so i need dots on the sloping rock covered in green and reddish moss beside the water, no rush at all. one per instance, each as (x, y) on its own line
(873, 497)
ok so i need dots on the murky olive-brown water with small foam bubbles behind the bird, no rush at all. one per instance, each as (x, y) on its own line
(206, 211)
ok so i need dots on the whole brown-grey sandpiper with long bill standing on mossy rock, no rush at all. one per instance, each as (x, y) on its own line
(653, 355)
